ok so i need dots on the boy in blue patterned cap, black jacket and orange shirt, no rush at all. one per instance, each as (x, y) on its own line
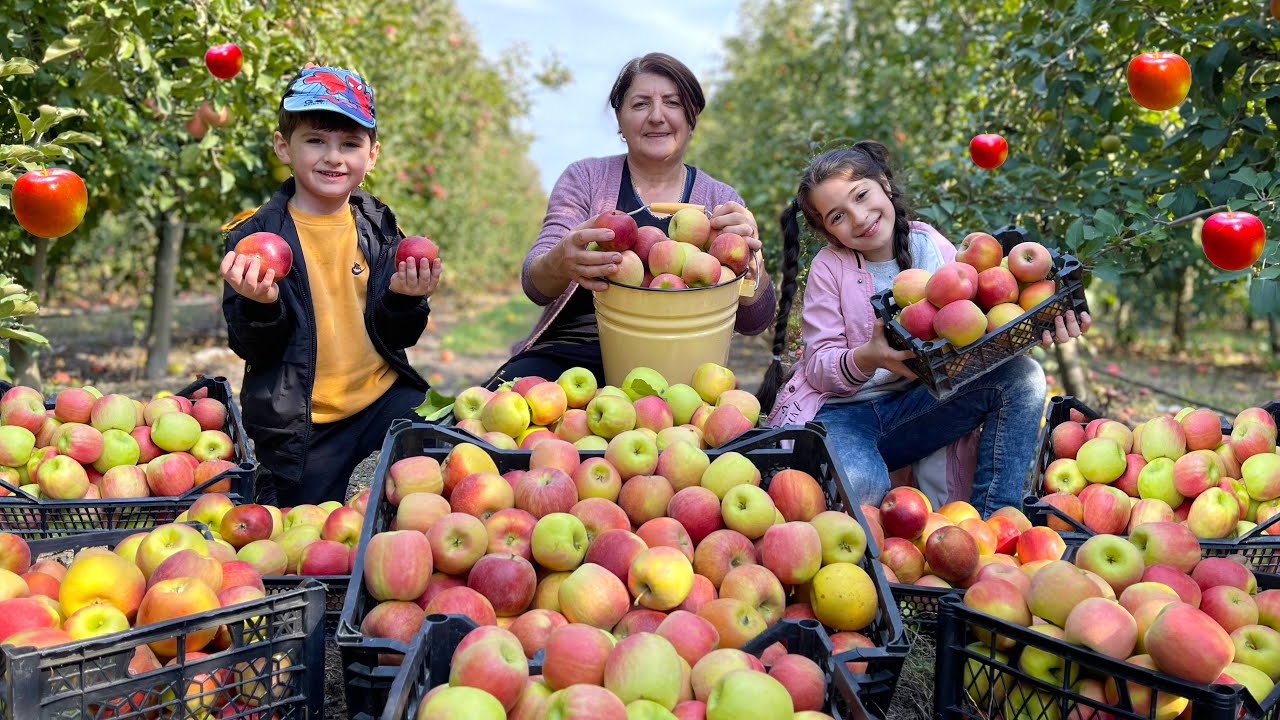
(326, 370)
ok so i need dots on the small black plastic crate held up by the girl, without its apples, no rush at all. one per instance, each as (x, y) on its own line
(944, 370)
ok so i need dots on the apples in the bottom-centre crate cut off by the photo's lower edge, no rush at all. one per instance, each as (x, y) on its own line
(588, 675)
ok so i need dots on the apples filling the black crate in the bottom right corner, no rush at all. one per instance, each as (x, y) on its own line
(1149, 600)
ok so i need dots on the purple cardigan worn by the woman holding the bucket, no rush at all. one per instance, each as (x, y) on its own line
(591, 188)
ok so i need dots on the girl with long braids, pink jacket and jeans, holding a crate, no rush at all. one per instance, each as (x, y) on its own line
(853, 382)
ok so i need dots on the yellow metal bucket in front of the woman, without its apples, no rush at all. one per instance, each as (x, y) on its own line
(670, 331)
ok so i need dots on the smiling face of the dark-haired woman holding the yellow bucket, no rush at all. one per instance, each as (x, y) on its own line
(652, 120)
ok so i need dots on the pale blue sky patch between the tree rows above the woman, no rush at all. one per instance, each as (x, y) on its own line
(595, 40)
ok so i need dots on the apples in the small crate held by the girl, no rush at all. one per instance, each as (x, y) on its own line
(979, 293)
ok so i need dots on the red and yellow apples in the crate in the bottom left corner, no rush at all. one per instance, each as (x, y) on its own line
(152, 577)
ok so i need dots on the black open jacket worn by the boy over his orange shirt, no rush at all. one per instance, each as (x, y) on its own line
(278, 340)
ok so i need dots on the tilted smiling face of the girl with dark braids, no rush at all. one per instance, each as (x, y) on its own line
(858, 215)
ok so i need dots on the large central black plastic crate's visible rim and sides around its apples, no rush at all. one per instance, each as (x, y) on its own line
(804, 449)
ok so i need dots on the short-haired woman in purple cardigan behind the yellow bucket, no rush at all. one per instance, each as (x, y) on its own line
(656, 101)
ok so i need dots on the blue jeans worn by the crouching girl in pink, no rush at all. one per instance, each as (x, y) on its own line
(870, 439)
